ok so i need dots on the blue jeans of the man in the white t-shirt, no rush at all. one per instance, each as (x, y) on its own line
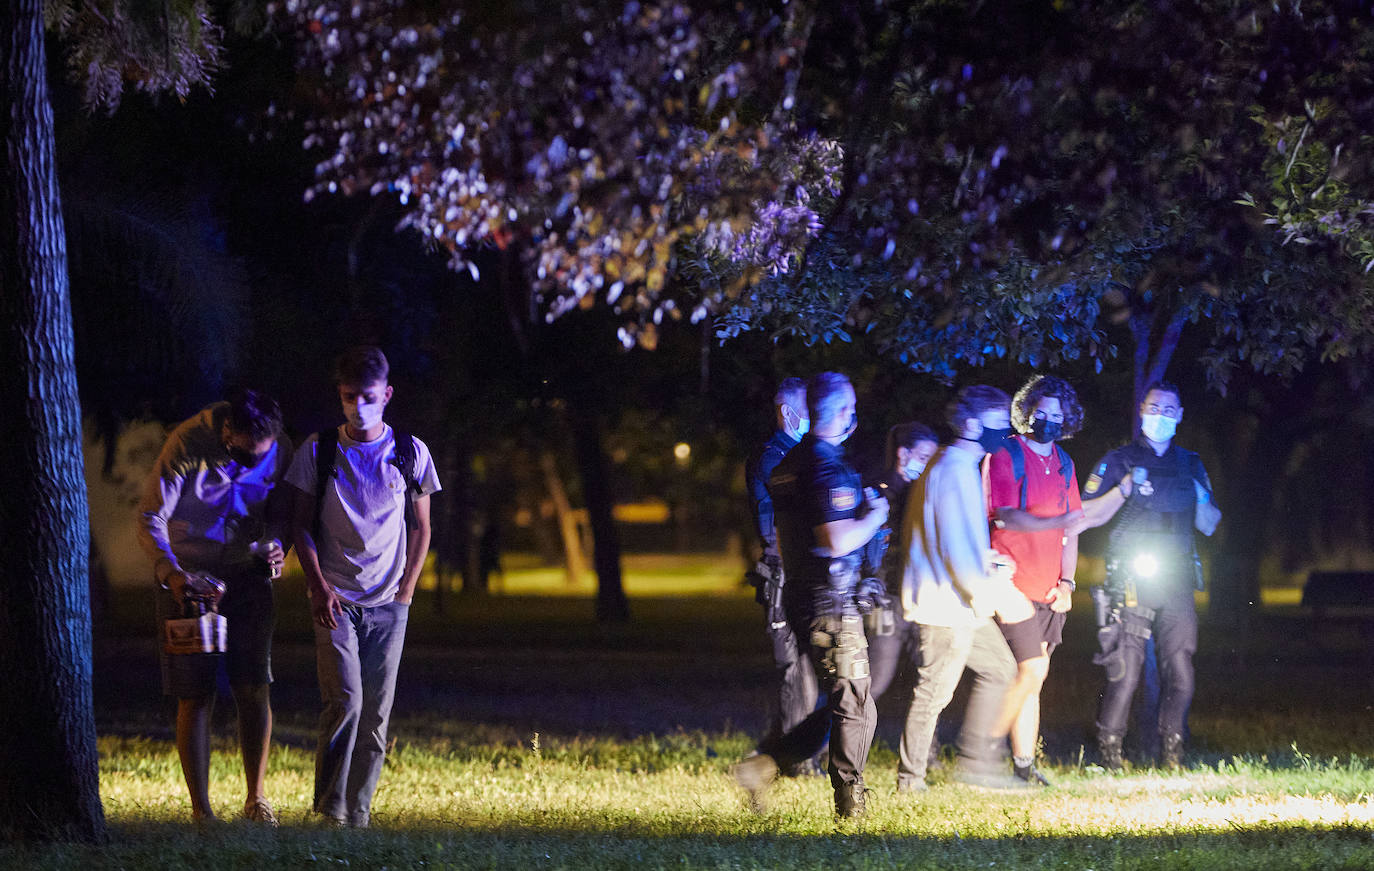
(357, 664)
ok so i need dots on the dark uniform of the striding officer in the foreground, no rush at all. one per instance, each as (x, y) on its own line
(811, 487)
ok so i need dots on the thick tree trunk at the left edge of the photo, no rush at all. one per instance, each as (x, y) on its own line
(49, 763)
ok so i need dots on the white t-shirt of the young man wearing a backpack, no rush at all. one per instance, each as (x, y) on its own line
(362, 546)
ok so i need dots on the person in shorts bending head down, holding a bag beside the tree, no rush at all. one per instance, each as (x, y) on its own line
(212, 508)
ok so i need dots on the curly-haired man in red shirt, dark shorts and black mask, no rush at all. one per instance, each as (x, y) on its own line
(1037, 517)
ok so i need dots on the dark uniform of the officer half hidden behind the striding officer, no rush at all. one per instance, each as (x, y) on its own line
(796, 679)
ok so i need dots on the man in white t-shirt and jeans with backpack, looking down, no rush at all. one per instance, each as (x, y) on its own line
(362, 539)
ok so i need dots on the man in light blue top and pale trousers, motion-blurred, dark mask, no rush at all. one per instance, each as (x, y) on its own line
(953, 586)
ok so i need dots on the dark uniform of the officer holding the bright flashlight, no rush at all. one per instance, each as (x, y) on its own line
(1156, 524)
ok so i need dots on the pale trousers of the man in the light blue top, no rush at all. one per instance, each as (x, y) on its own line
(945, 653)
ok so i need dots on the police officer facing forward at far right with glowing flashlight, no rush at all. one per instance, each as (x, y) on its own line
(1155, 495)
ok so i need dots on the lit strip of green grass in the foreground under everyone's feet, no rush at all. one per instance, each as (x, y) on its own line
(667, 803)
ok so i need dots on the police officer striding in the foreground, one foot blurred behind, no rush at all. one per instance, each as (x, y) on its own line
(824, 523)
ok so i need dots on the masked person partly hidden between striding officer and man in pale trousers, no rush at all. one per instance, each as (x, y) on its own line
(894, 641)
